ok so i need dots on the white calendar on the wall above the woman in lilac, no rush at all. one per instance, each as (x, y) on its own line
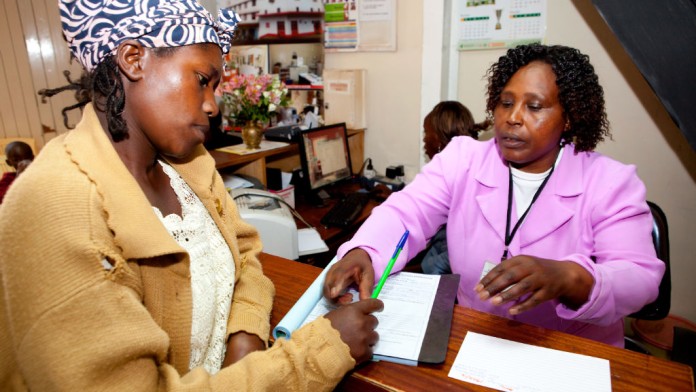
(493, 24)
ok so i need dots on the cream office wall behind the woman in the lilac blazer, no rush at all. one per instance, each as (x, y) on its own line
(643, 133)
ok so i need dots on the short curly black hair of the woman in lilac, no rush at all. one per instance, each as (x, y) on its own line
(579, 91)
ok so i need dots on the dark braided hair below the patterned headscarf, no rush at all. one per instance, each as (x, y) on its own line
(103, 82)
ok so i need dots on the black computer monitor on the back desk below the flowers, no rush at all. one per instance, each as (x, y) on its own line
(325, 157)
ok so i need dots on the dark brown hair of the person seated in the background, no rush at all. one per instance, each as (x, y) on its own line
(450, 118)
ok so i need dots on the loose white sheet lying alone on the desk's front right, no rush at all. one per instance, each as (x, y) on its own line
(510, 366)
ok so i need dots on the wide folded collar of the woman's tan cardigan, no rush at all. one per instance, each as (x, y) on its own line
(137, 230)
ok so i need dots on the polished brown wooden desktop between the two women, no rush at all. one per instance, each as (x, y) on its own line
(630, 371)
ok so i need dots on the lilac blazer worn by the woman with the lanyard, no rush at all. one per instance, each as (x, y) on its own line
(592, 212)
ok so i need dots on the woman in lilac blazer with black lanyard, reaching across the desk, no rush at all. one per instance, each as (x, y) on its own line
(541, 229)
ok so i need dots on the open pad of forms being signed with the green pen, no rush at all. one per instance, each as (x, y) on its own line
(414, 325)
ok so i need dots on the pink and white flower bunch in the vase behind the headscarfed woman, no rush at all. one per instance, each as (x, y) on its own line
(253, 98)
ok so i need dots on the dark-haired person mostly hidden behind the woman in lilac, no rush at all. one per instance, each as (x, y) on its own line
(447, 120)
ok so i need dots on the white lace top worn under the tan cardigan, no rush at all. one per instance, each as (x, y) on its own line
(212, 273)
